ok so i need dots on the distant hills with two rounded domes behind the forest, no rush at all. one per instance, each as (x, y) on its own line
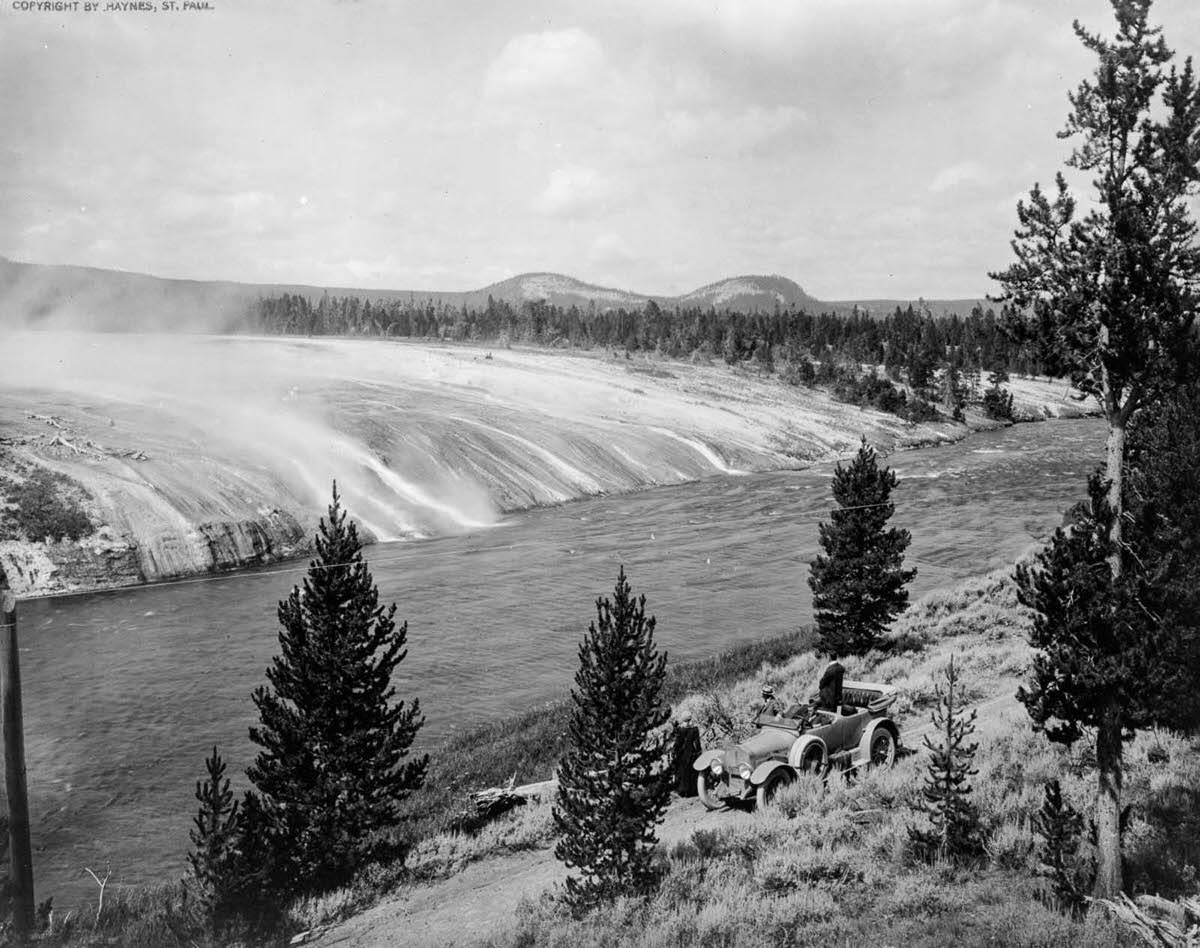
(49, 296)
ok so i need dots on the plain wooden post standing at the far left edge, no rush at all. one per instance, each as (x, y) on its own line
(15, 769)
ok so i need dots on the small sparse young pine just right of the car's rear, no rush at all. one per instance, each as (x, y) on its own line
(956, 829)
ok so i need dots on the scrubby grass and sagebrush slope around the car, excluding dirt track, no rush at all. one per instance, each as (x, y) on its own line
(830, 866)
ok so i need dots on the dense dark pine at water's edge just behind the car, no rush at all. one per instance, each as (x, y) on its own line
(859, 586)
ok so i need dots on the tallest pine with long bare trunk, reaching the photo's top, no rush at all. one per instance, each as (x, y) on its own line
(1111, 298)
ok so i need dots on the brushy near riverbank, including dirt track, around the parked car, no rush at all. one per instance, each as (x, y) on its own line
(829, 865)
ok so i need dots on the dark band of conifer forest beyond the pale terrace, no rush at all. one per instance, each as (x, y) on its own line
(932, 364)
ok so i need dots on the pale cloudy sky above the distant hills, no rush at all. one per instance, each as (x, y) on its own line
(863, 148)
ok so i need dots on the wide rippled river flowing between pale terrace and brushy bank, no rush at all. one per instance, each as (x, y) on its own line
(127, 692)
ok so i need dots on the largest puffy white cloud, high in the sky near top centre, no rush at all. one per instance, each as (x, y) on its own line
(541, 63)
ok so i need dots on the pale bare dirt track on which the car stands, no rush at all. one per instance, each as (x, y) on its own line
(479, 901)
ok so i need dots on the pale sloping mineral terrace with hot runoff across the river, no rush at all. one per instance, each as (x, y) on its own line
(201, 454)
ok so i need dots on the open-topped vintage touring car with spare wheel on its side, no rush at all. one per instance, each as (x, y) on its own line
(801, 740)
